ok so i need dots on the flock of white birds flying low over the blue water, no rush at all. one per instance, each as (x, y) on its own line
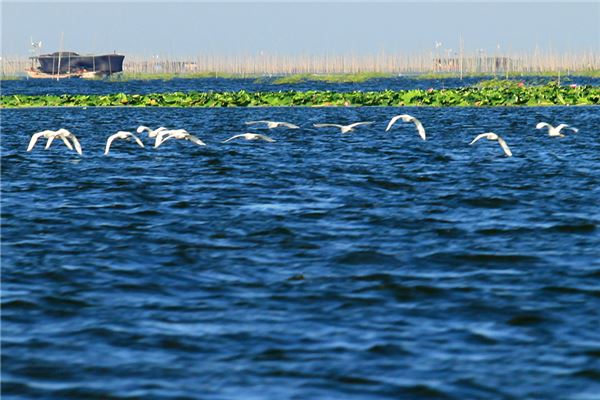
(162, 134)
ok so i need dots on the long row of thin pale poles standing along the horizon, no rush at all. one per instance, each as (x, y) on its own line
(275, 64)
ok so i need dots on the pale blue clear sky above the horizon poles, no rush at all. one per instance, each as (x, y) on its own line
(192, 28)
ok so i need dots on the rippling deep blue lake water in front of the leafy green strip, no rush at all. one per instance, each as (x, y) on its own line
(370, 265)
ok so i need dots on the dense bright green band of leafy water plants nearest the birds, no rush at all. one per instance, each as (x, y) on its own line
(484, 95)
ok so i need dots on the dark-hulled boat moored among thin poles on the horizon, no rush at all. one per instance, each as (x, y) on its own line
(70, 63)
